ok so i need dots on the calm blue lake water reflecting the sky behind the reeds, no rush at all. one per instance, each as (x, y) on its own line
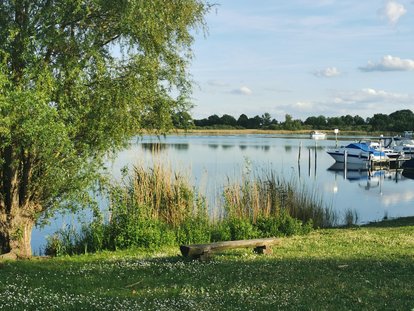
(210, 160)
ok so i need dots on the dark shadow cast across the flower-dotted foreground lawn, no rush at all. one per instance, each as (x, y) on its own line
(229, 282)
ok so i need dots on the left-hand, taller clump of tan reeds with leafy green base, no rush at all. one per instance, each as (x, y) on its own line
(159, 206)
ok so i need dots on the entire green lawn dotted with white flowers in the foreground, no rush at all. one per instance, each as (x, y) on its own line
(363, 268)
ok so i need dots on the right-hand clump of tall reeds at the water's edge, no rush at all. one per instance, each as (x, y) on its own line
(265, 195)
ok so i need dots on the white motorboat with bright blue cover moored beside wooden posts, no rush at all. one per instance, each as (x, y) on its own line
(357, 153)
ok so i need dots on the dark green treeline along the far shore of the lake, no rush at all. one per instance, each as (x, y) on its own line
(397, 121)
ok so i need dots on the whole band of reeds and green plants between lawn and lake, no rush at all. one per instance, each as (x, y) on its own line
(154, 207)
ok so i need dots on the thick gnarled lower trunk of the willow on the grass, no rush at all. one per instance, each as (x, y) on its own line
(15, 235)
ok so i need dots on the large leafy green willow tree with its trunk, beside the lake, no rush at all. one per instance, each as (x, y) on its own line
(77, 79)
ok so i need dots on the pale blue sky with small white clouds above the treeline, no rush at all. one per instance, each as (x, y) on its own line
(305, 58)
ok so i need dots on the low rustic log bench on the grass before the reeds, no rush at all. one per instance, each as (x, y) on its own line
(203, 251)
